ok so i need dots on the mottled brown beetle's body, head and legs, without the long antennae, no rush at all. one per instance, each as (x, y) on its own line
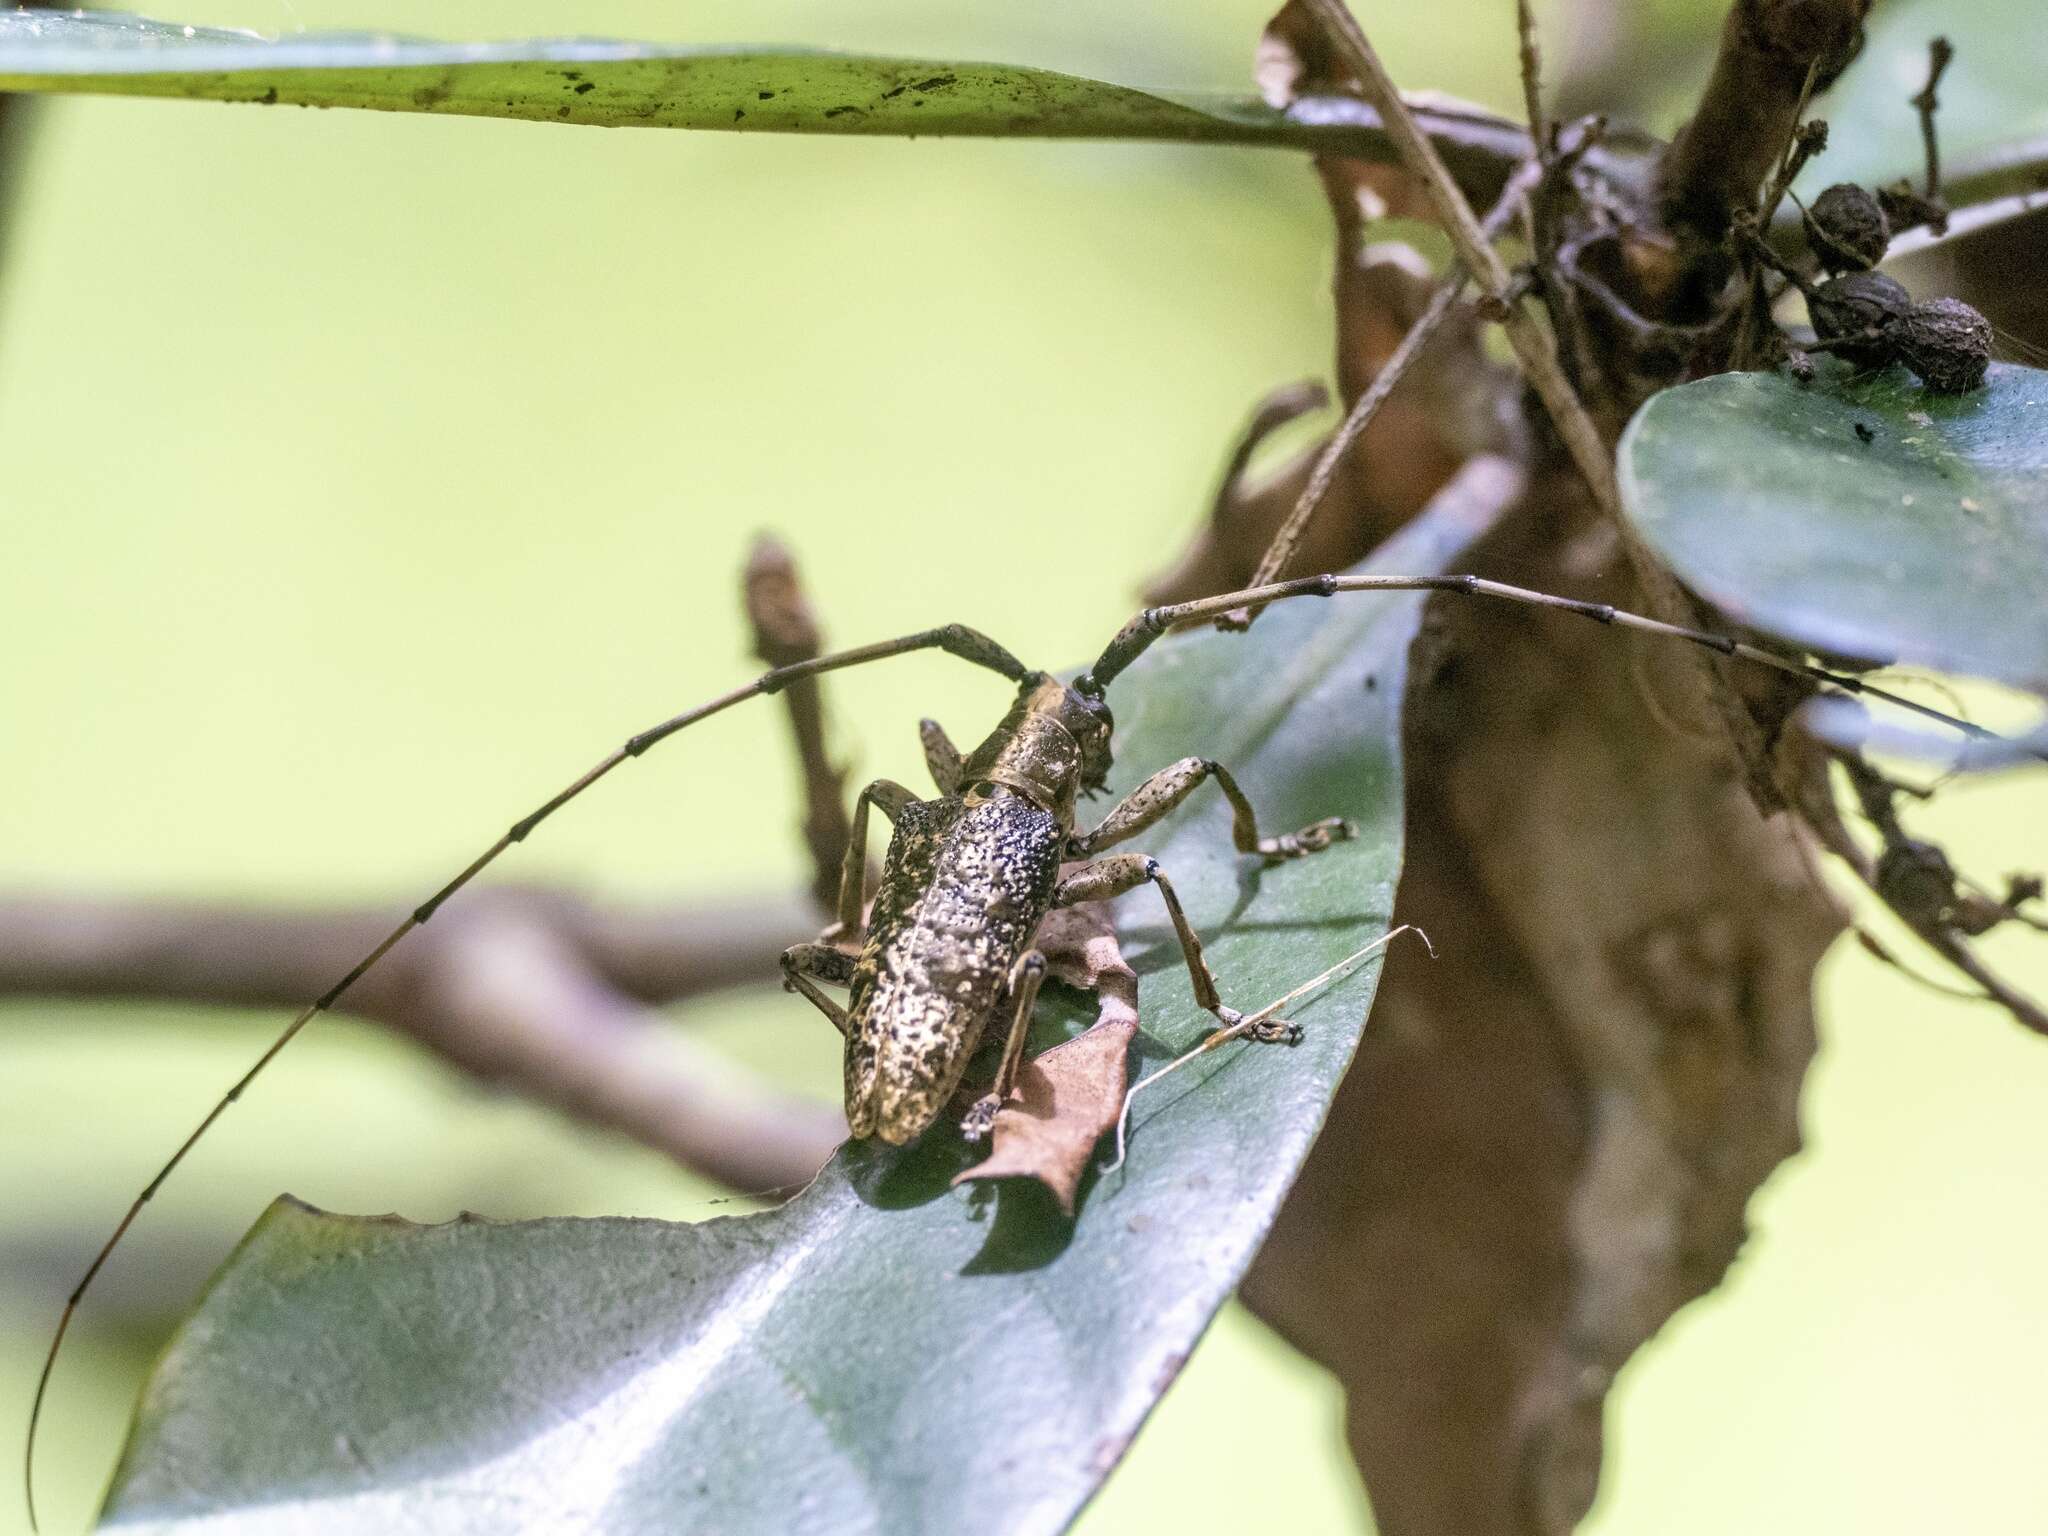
(966, 886)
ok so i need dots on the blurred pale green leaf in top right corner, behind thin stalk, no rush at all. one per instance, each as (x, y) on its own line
(1994, 120)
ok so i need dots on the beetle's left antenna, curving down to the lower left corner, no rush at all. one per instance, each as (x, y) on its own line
(955, 640)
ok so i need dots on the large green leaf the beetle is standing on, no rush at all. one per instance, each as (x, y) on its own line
(884, 1355)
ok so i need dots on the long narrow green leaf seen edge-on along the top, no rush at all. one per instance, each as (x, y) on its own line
(650, 85)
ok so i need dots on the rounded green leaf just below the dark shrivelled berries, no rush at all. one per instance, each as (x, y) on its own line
(1922, 542)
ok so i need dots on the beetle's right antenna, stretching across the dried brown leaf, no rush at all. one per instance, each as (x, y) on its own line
(1136, 638)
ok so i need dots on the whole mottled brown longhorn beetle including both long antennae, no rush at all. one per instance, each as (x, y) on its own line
(972, 873)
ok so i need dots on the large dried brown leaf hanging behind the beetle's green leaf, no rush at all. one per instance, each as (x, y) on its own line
(1549, 1140)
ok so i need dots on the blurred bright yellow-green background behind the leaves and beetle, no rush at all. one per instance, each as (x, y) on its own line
(366, 476)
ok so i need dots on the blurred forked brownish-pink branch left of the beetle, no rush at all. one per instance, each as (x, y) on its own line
(538, 992)
